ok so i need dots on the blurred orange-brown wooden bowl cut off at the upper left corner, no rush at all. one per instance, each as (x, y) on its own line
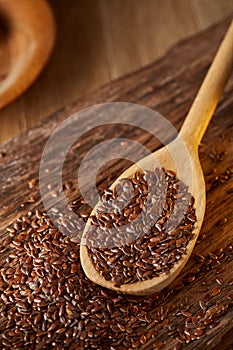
(27, 33)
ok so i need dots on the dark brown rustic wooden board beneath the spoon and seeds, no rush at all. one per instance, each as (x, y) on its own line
(168, 86)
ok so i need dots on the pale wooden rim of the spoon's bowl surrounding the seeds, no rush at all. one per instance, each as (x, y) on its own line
(166, 159)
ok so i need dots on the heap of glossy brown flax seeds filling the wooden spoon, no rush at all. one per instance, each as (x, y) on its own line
(142, 227)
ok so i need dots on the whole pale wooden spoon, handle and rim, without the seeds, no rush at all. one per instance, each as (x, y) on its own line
(181, 156)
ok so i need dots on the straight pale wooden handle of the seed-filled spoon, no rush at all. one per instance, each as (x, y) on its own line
(209, 93)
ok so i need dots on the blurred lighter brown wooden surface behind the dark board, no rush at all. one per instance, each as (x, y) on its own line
(101, 40)
